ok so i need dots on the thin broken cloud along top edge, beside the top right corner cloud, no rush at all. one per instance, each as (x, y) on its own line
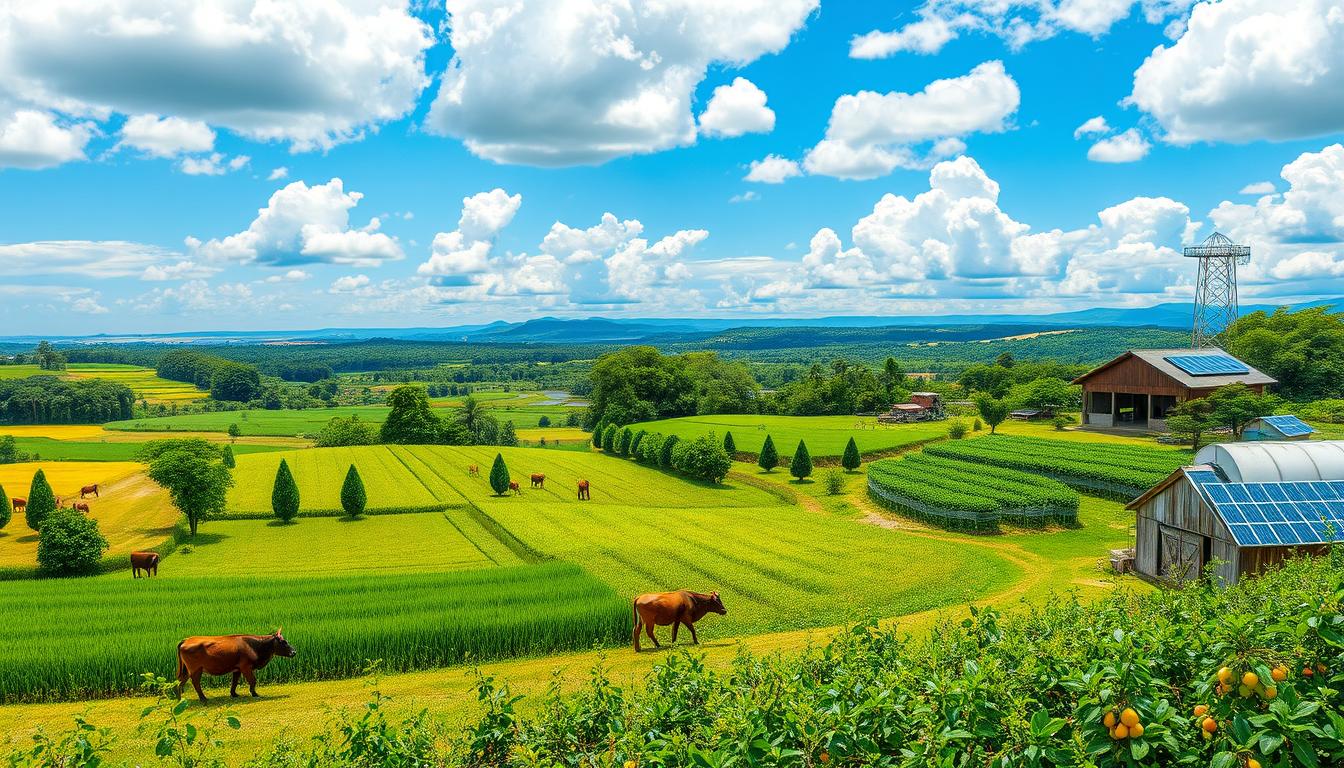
(1018, 22)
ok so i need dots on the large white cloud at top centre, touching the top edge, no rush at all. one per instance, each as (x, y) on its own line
(562, 84)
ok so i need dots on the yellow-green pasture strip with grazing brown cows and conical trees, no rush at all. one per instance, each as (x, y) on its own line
(420, 477)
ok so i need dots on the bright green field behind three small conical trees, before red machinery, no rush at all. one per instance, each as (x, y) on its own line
(826, 435)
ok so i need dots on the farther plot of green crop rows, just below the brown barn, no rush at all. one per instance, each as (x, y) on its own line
(1119, 470)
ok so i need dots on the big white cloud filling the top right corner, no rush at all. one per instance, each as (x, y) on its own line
(1247, 71)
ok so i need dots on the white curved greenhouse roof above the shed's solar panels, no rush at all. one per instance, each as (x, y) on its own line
(1276, 462)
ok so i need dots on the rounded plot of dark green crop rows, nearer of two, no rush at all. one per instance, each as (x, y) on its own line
(959, 494)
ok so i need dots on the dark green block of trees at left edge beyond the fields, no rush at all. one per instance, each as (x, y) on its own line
(50, 400)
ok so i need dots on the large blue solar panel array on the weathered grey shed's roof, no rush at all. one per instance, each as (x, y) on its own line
(1276, 514)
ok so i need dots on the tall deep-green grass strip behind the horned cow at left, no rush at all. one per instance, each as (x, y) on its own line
(67, 642)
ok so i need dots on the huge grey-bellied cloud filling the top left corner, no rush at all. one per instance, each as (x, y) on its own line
(306, 72)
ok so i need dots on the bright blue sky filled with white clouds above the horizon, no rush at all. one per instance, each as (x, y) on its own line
(303, 163)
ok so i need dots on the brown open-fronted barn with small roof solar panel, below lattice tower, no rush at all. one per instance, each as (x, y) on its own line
(1139, 389)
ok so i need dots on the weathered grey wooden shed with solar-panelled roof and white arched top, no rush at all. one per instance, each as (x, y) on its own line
(1244, 505)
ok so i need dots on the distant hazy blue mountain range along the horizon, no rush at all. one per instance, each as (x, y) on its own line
(604, 330)
